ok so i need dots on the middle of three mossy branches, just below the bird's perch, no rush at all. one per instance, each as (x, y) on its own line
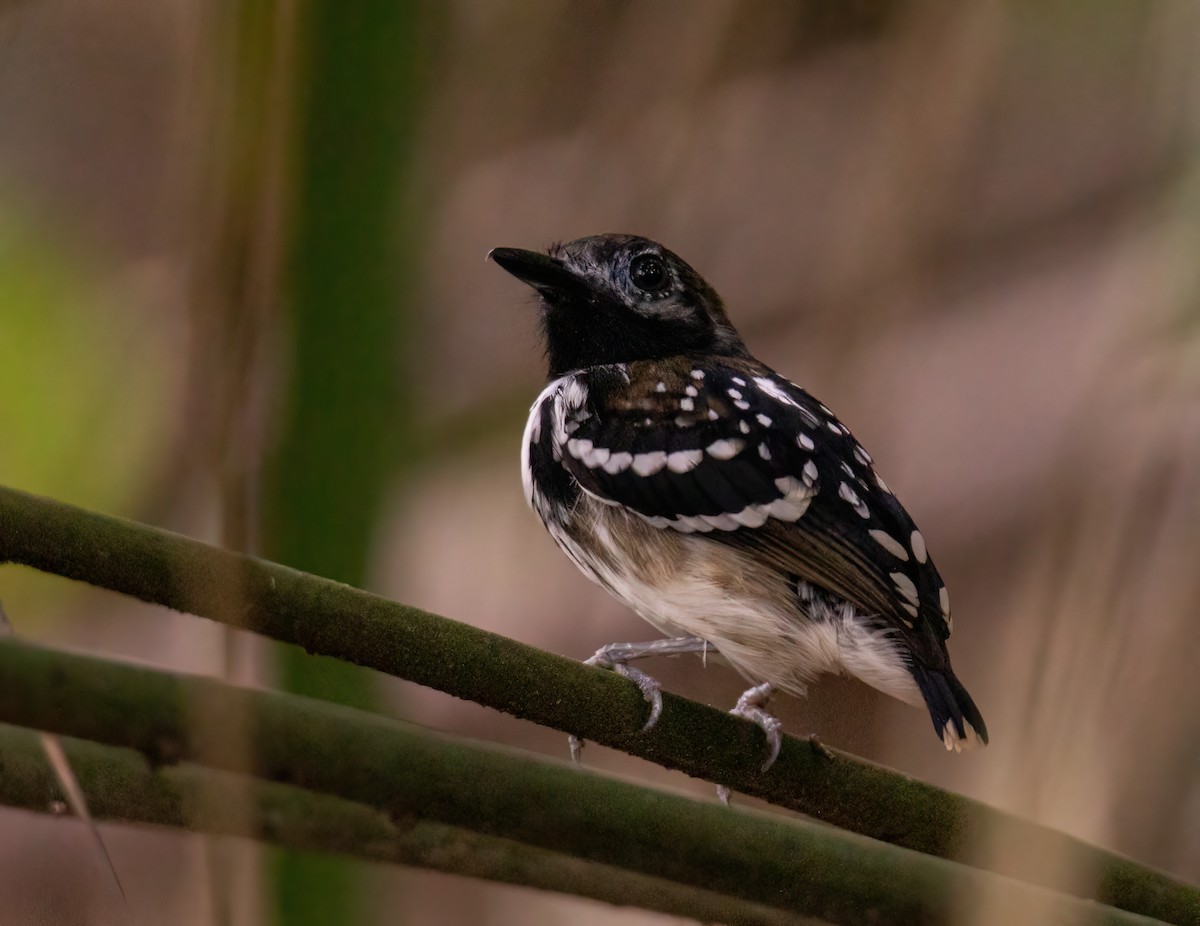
(797, 867)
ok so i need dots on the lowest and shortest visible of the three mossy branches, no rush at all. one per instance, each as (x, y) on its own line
(123, 787)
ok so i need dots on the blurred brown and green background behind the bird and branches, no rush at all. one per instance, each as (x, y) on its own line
(973, 230)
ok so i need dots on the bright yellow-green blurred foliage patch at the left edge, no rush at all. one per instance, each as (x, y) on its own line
(85, 399)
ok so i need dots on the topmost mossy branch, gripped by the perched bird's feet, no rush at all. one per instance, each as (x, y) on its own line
(338, 621)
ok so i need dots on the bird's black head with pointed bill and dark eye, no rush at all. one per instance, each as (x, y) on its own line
(613, 299)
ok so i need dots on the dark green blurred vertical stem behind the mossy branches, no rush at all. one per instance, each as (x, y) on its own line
(346, 422)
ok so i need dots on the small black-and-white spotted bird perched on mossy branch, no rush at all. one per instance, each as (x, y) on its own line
(721, 502)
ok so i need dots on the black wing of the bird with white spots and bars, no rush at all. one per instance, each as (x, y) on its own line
(742, 456)
